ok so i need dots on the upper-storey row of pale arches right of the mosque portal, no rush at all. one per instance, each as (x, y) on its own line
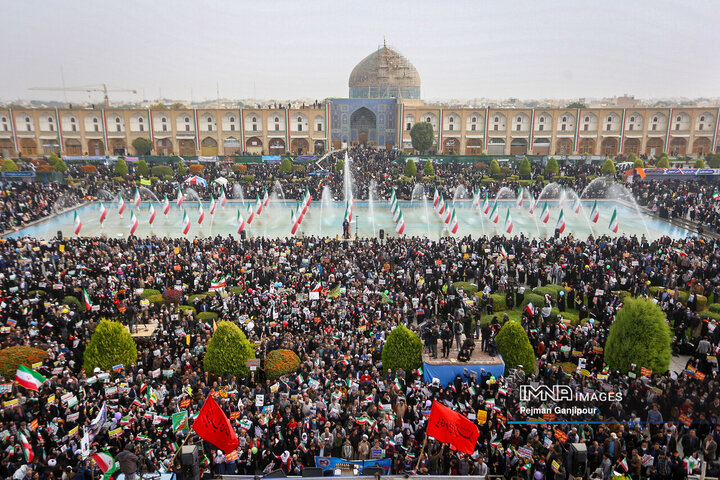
(521, 122)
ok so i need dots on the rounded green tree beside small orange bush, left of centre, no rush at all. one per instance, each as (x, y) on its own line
(228, 350)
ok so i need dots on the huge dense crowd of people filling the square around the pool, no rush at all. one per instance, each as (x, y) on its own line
(342, 402)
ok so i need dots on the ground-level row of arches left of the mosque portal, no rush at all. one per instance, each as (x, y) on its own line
(29, 147)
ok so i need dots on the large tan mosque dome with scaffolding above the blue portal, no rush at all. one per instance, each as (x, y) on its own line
(385, 74)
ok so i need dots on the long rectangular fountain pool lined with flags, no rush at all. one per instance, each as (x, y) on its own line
(326, 220)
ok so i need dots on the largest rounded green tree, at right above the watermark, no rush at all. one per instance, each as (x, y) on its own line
(639, 336)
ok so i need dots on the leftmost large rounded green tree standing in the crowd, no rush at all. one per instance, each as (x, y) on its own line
(110, 345)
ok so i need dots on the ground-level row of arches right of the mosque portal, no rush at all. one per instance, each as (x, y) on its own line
(587, 146)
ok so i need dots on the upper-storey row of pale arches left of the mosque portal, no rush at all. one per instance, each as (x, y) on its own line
(207, 122)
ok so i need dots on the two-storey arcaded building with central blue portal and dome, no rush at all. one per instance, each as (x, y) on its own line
(383, 105)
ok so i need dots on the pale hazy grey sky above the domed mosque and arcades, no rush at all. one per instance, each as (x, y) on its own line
(293, 49)
